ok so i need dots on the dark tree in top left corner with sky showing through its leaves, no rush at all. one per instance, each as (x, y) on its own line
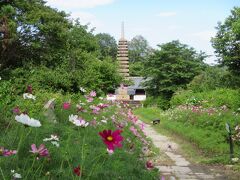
(32, 32)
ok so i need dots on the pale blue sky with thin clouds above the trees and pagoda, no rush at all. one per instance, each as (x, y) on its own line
(192, 22)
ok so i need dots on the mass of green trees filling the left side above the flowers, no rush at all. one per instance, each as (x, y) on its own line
(43, 45)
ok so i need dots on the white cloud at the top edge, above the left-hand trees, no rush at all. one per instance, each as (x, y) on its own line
(74, 4)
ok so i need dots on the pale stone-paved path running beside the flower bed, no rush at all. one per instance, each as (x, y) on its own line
(180, 168)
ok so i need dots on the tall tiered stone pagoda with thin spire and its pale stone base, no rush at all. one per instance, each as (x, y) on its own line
(122, 57)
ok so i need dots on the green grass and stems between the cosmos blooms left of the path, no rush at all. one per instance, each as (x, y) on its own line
(78, 146)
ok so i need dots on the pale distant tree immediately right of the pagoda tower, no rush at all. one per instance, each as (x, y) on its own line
(138, 49)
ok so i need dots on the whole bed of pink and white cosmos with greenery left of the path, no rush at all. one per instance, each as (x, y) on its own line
(78, 145)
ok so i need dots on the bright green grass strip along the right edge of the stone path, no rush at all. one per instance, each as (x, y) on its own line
(197, 144)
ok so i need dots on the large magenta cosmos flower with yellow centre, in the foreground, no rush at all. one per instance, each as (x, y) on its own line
(112, 139)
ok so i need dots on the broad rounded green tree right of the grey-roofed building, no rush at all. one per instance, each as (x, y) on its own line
(171, 67)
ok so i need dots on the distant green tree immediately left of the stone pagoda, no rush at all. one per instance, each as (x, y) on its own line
(107, 44)
